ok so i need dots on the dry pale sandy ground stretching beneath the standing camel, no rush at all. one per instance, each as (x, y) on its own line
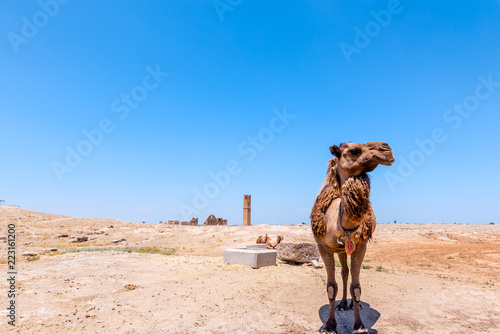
(423, 279)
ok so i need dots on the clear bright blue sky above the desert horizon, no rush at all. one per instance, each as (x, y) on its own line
(174, 92)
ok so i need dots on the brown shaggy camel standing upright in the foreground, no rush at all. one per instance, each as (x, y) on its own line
(343, 221)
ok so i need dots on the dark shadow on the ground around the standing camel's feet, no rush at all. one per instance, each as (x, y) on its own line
(369, 317)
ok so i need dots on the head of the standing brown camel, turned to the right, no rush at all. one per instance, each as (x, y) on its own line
(352, 159)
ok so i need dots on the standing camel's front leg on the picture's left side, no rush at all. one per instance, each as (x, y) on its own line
(331, 287)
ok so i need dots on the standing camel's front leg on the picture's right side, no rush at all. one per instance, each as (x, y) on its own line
(356, 261)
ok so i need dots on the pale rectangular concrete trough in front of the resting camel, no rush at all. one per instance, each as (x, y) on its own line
(254, 256)
